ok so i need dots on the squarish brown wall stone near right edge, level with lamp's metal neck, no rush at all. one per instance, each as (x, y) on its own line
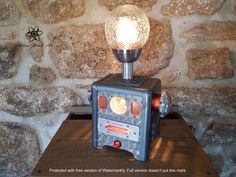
(209, 63)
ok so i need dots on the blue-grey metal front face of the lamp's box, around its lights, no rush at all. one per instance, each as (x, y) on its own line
(134, 139)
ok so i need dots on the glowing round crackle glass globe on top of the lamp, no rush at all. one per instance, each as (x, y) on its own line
(127, 28)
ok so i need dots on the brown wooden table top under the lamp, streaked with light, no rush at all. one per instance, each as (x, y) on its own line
(175, 153)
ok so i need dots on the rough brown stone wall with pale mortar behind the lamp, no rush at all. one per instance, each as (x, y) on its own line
(52, 51)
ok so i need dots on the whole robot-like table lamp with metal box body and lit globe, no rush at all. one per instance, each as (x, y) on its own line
(126, 108)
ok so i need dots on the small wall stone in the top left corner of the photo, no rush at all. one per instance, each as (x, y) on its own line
(9, 15)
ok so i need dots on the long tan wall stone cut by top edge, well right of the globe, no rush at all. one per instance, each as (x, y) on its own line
(188, 7)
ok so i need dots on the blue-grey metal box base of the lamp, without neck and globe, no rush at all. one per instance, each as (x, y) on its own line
(123, 115)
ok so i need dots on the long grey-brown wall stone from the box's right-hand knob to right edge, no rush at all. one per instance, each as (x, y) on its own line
(204, 101)
